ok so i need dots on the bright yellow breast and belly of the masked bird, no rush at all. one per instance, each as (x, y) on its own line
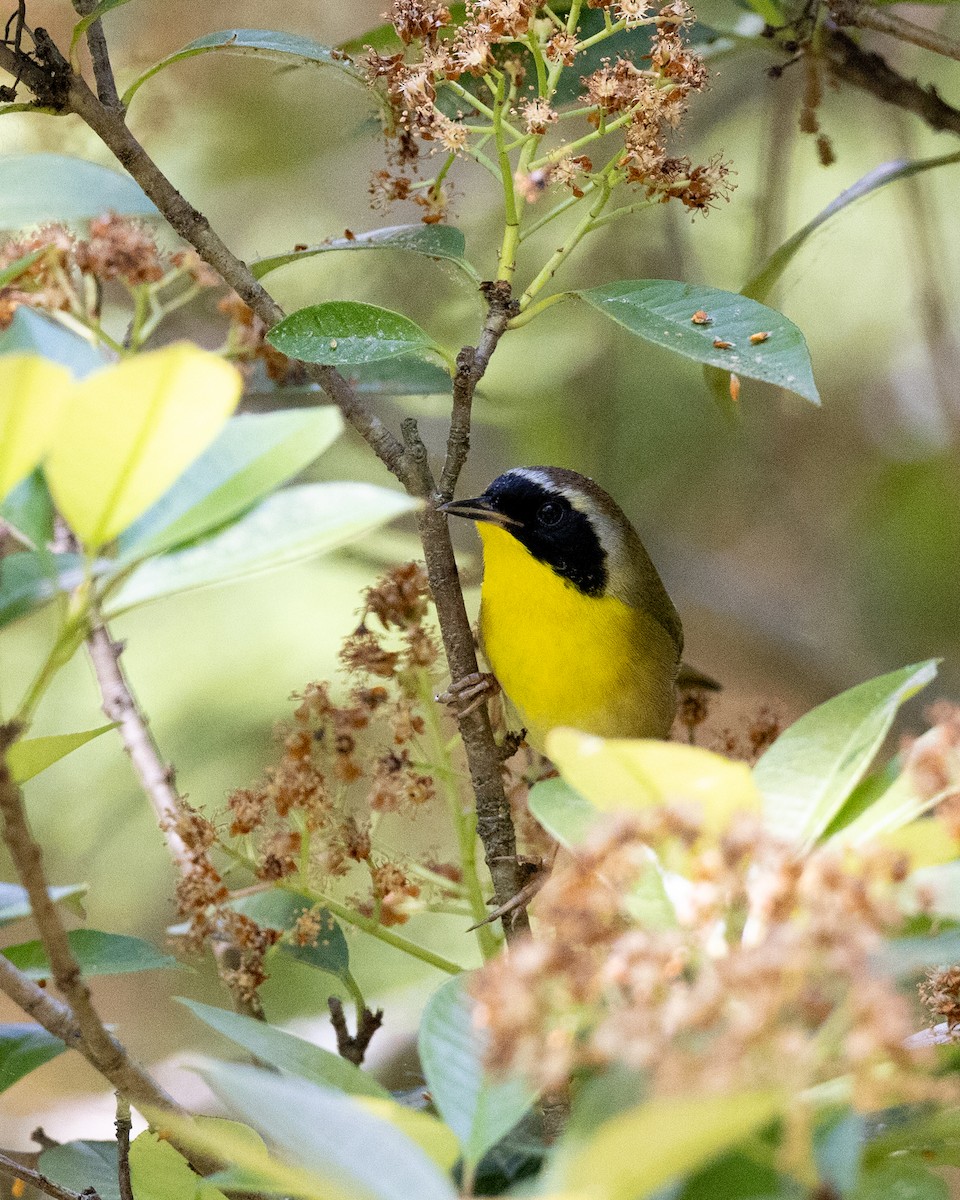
(565, 658)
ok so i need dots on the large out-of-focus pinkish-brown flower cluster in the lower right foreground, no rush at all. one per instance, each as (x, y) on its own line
(767, 979)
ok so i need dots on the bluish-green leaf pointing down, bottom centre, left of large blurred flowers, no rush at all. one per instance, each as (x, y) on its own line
(478, 1109)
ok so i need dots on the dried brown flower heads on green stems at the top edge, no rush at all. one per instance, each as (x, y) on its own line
(646, 99)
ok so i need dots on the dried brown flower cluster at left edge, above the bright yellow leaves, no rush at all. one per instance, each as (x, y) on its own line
(64, 273)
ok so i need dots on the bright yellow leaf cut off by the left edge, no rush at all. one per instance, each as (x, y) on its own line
(32, 400)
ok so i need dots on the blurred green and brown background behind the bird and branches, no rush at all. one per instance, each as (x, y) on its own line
(807, 549)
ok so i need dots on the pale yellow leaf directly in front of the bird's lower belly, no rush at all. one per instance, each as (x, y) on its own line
(619, 775)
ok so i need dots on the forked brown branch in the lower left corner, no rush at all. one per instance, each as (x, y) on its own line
(76, 1023)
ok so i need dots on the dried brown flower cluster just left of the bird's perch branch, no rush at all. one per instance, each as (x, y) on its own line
(344, 767)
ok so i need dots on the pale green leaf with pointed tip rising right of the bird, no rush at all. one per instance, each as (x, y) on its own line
(809, 773)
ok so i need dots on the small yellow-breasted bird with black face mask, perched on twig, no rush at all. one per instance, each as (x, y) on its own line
(575, 622)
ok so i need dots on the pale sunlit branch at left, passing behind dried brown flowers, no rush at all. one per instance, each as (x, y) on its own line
(158, 778)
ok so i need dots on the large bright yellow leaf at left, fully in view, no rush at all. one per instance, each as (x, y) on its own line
(131, 430)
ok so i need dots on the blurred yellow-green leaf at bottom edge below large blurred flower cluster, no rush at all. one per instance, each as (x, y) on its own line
(641, 1151)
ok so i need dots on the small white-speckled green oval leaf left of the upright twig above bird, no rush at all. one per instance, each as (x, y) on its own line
(344, 332)
